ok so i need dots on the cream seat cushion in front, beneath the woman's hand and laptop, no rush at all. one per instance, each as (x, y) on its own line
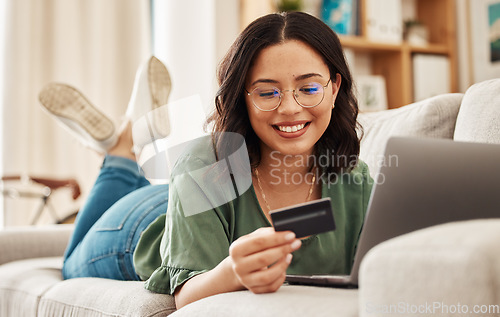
(289, 300)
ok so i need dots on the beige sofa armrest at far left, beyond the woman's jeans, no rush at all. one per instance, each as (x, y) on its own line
(33, 242)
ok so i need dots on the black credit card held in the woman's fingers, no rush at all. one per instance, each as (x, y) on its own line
(305, 219)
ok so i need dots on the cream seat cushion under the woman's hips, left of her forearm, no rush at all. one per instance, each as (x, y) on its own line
(104, 297)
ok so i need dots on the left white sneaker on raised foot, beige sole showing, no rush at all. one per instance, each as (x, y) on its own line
(75, 113)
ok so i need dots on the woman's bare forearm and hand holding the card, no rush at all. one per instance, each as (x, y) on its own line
(256, 261)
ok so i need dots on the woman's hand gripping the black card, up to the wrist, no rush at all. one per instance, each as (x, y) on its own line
(260, 259)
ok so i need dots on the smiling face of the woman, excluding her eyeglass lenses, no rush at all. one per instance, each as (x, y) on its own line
(290, 129)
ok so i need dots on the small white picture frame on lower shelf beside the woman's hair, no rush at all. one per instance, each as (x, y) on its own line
(371, 93)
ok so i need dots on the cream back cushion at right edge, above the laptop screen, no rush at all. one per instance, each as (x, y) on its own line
(479, 116)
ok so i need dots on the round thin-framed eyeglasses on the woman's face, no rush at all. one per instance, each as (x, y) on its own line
(268, 98)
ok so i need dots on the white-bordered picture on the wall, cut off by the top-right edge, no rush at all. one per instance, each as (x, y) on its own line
(484, 39)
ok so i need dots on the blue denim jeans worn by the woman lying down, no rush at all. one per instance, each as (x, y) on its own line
(120, 206)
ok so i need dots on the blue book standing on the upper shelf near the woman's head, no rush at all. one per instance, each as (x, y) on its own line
(341, 16)
